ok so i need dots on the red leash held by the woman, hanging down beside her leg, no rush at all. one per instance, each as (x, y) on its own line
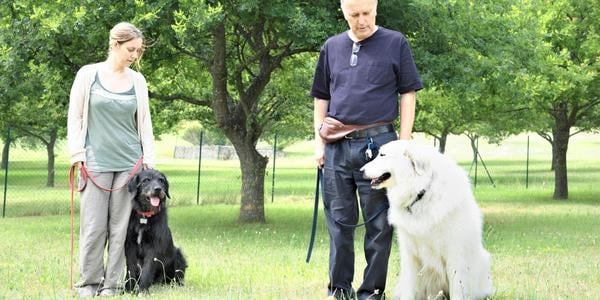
(85, 174)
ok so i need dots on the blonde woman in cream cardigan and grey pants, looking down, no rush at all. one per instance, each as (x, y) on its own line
(109, 135)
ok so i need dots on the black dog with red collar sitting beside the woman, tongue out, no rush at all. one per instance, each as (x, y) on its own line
(149, 250)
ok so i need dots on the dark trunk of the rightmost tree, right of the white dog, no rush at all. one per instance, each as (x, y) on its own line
(559, 152)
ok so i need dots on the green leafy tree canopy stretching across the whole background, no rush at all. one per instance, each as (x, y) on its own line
(491, 68)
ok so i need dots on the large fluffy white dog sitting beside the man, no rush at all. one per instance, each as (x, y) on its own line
(438, 223)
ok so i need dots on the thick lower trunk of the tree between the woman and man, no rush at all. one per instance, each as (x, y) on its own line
(253, 166)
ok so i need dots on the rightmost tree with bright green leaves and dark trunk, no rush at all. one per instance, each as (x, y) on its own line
(561, 79)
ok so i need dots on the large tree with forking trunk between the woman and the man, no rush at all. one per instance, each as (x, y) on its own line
(239, 47)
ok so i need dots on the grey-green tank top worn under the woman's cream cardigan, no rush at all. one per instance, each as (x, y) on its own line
(112, 142)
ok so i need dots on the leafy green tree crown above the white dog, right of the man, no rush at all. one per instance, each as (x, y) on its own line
(461, 63)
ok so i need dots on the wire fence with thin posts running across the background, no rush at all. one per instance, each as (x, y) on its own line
(210, 174)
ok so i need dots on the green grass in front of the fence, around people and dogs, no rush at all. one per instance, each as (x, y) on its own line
(541, 250)
